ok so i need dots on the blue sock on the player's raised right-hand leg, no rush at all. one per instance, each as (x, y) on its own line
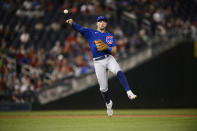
(123, 80)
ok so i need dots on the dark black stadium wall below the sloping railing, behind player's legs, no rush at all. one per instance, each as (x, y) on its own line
(166, 81)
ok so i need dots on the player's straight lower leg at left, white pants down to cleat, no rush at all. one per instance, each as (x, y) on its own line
(101, 73)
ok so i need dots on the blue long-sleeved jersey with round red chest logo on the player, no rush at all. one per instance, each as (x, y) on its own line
(92, 35)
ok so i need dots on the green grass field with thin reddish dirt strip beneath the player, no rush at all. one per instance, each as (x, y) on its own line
(95, 120)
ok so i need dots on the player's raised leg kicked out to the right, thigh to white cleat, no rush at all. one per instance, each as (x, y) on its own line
(114, 67)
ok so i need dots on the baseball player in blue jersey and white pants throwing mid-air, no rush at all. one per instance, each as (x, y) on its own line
(103, 47)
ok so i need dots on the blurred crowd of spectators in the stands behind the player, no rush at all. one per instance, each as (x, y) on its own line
(37, 47)
